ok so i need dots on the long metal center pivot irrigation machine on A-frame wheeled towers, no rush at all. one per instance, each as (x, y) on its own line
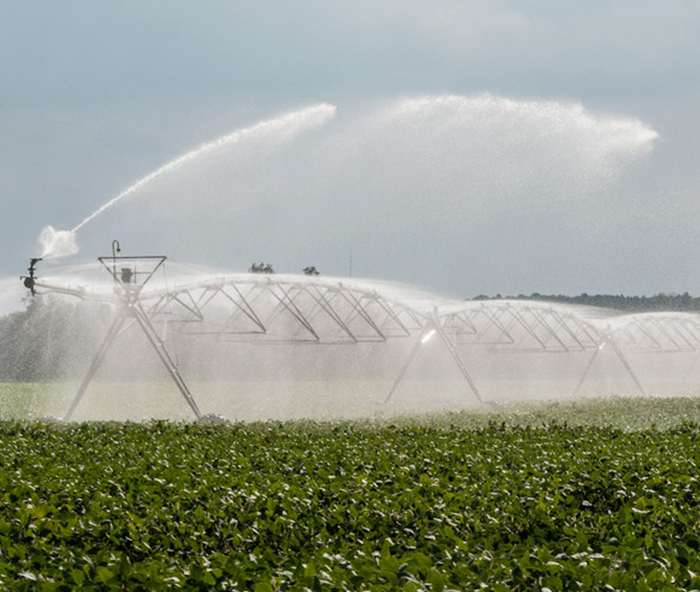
(294, 309)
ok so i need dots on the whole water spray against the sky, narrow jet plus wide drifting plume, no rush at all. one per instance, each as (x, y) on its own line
(462, 170)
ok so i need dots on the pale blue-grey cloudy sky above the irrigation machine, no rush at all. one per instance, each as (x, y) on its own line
(463, 147)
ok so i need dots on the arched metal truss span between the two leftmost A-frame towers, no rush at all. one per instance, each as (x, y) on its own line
(284, 309)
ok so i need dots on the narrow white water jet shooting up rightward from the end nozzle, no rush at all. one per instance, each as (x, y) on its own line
(61, 243)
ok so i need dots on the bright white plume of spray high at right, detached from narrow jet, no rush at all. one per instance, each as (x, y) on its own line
(499, 142)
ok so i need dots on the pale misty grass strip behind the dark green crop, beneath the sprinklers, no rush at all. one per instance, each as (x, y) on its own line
(279, 400)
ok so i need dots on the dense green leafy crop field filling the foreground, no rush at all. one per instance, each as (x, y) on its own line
(579, 496)
